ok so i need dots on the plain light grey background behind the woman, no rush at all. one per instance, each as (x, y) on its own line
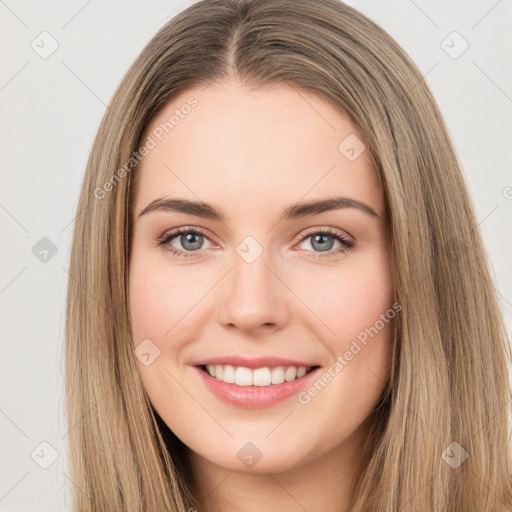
(51, 109)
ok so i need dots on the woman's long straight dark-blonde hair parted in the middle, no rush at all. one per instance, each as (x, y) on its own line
(449, 381)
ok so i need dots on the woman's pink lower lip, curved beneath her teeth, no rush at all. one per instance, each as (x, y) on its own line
(254, 396)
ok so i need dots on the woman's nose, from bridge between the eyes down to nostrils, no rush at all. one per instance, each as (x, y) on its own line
(253, 296)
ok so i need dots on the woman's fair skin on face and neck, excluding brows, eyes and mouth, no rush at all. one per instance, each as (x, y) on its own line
(251, 153)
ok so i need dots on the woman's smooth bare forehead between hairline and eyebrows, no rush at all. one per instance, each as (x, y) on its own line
(253, 149)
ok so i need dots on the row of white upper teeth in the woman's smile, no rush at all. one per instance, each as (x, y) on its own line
(242, 376)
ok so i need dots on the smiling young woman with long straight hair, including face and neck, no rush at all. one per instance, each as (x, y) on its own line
(279, 296)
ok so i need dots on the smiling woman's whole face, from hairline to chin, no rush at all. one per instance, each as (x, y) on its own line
(259, 283)
